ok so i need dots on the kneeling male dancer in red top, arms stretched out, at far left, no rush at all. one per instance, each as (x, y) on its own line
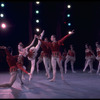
(14, 64)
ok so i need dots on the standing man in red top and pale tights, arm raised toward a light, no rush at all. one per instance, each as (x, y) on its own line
(56, 55)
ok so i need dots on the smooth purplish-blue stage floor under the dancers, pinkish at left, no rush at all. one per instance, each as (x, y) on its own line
(75, 86)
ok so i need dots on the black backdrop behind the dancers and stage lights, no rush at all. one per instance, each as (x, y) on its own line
(85, 19)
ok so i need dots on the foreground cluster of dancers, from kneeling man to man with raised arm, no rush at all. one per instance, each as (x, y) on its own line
(51, 56)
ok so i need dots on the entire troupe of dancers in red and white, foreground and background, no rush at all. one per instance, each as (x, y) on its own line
(50, 55)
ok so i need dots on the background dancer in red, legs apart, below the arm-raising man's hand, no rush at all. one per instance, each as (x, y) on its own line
(70, 57)
